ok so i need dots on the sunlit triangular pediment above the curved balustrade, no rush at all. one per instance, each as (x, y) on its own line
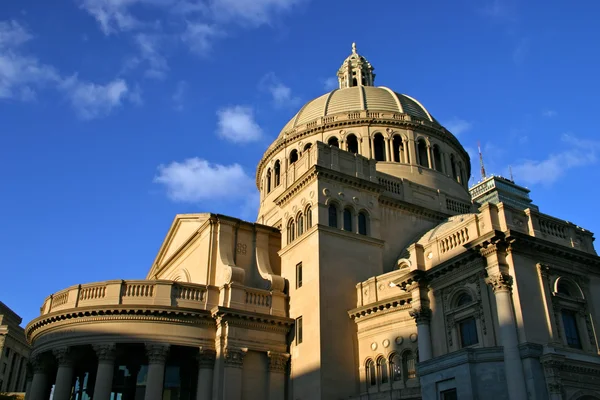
(182, 229)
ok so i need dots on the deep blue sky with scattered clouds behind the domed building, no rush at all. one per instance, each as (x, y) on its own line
(115, 115)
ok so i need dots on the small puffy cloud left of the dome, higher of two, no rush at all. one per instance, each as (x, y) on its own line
(237, 124)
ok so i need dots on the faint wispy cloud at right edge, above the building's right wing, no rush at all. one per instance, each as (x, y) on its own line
(577, 153)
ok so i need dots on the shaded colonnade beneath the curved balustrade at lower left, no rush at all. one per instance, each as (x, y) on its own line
(72, 371)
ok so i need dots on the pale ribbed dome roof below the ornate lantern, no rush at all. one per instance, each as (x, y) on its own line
(356, 99)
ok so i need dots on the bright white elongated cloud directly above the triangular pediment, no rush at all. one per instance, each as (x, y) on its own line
(195, 180)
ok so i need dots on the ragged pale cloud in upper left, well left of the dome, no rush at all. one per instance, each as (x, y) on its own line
(91, 100)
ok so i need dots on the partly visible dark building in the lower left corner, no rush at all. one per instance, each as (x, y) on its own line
(14, 352)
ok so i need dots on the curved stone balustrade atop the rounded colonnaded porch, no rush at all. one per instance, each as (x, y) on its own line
(165, 293)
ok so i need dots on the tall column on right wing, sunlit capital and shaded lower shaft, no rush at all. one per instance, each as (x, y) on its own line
(513, 367)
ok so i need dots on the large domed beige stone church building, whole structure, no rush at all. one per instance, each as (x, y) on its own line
(369, 274)
